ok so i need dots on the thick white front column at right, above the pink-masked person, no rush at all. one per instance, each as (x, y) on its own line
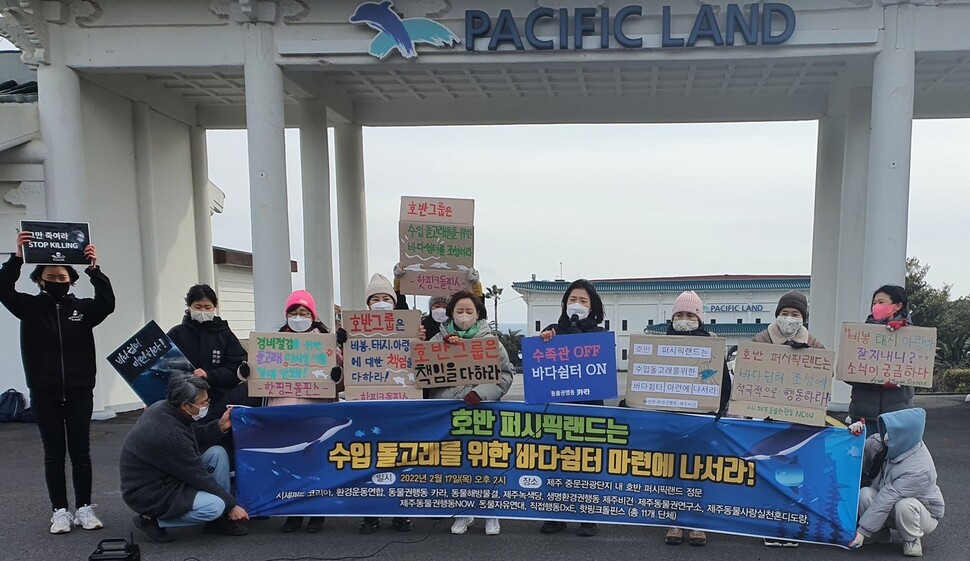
(889, 151)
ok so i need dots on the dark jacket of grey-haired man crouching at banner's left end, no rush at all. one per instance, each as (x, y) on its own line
(161, 463)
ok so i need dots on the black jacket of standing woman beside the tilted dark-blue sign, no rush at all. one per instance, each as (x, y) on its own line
(213, 347)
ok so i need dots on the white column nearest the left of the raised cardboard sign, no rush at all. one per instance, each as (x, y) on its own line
(351, 214)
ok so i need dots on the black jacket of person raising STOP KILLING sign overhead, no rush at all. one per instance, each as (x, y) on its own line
(57, 336)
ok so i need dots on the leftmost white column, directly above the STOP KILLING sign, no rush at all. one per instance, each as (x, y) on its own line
(65, 171)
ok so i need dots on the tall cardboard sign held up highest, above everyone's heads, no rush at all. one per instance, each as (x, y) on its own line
(437, 239)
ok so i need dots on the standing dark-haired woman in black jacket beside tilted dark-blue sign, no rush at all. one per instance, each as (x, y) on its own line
(210, 345)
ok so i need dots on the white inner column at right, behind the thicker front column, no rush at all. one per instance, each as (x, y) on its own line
(825, 236)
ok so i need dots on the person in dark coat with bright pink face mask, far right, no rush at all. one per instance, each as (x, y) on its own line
(890, 308)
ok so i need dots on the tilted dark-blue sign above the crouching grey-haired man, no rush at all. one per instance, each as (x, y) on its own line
(148, 360)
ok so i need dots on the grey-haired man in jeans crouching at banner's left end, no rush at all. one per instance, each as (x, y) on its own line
(174, 472)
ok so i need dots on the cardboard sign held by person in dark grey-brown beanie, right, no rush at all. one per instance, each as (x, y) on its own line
(783, 383)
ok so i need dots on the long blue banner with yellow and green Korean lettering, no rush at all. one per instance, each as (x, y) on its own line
(567, 463)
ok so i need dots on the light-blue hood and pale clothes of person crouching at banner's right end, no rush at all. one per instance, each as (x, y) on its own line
(908, 470)
